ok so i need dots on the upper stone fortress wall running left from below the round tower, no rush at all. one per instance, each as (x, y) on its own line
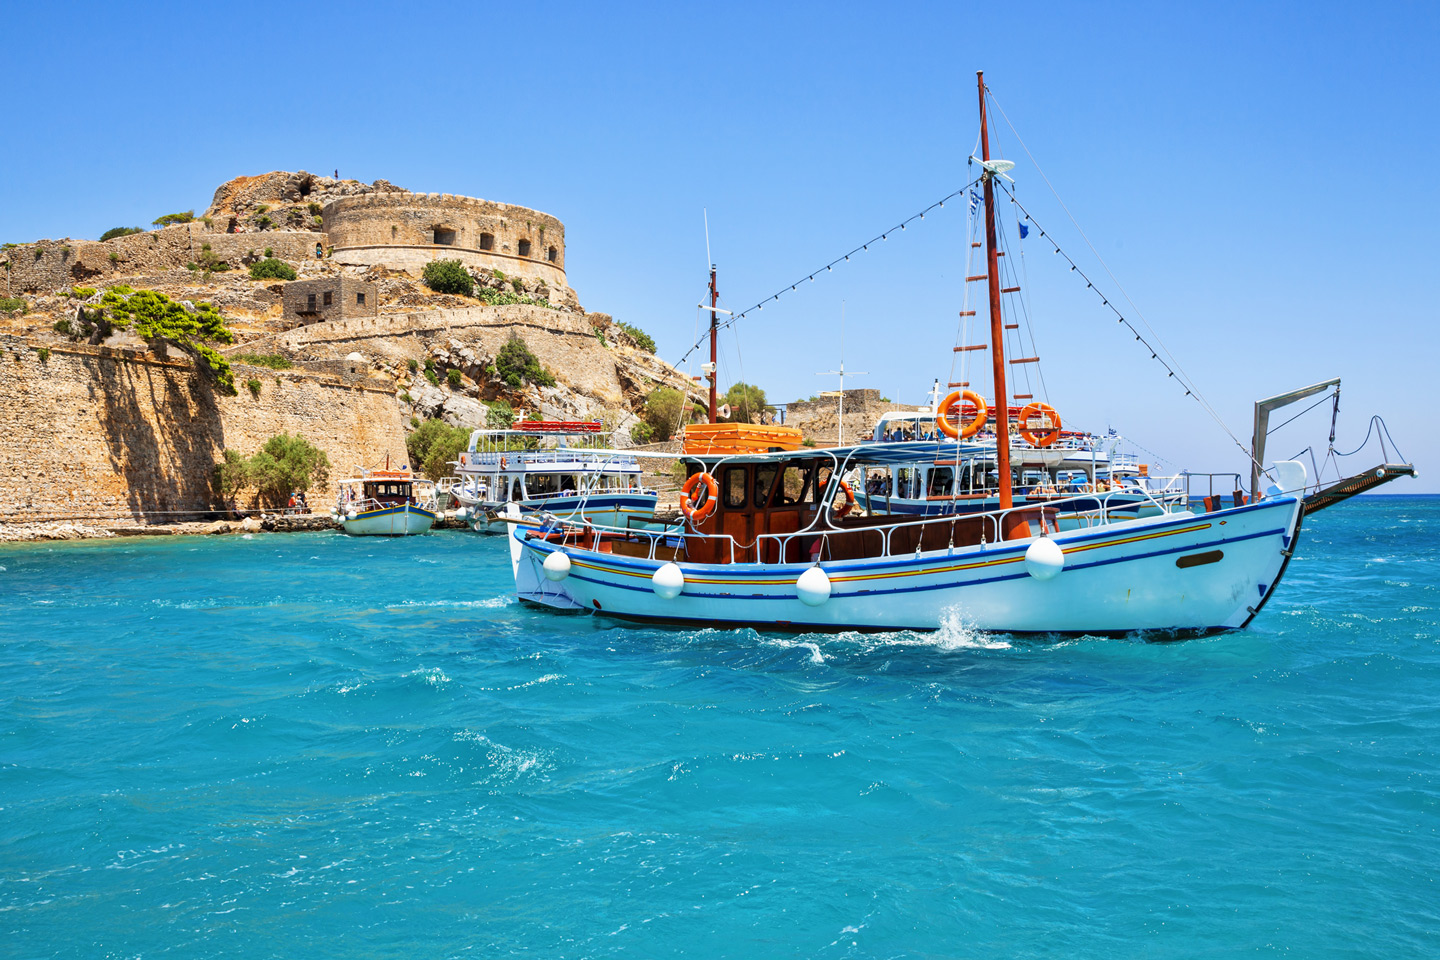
(53, 266)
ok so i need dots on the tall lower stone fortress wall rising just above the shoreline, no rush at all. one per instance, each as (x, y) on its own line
(96, 431)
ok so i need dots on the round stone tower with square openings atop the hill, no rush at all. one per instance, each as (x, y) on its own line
(407, 231)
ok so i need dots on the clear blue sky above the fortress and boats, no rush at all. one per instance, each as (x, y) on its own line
(1261, 178)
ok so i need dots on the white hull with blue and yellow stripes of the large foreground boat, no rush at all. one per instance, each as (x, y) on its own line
(1158, 574)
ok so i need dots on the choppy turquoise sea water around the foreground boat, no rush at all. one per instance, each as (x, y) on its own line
(318, 746)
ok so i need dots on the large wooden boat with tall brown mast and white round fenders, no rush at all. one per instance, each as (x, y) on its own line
(773, 539)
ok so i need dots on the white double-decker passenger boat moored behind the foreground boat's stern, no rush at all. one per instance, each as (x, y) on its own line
(557, 468)
